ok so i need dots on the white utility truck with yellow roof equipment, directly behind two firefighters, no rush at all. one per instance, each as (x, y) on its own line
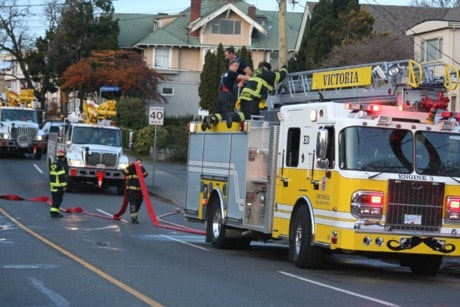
(94, 151)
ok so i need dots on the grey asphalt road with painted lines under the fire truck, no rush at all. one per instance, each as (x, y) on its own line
(88, 259)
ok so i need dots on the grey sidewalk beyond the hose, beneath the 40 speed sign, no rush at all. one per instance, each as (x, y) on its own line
(167, 181)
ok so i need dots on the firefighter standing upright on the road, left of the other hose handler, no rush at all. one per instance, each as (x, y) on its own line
(58, 183)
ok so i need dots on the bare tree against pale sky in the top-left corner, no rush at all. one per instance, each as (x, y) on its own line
(15, 34)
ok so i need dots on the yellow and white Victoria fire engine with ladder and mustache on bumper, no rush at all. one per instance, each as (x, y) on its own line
(360, 159)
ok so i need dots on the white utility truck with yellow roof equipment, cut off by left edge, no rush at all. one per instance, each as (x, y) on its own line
(19, 129)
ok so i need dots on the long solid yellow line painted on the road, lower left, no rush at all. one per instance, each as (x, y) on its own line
(84, 263)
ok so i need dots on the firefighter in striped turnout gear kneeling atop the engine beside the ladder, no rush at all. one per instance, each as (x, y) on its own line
(255, 91)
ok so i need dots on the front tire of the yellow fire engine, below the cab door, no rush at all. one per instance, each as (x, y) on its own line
(303, 254)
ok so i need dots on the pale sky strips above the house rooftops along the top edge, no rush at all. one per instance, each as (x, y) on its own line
(174, 6)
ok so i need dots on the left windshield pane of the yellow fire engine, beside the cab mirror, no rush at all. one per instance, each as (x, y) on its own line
(376, 149)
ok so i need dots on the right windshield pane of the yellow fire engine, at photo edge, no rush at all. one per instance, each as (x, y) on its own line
(437, 154)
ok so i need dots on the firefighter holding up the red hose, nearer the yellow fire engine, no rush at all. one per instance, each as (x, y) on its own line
(134, 189)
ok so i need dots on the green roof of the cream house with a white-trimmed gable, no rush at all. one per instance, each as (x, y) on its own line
(176, 33)
